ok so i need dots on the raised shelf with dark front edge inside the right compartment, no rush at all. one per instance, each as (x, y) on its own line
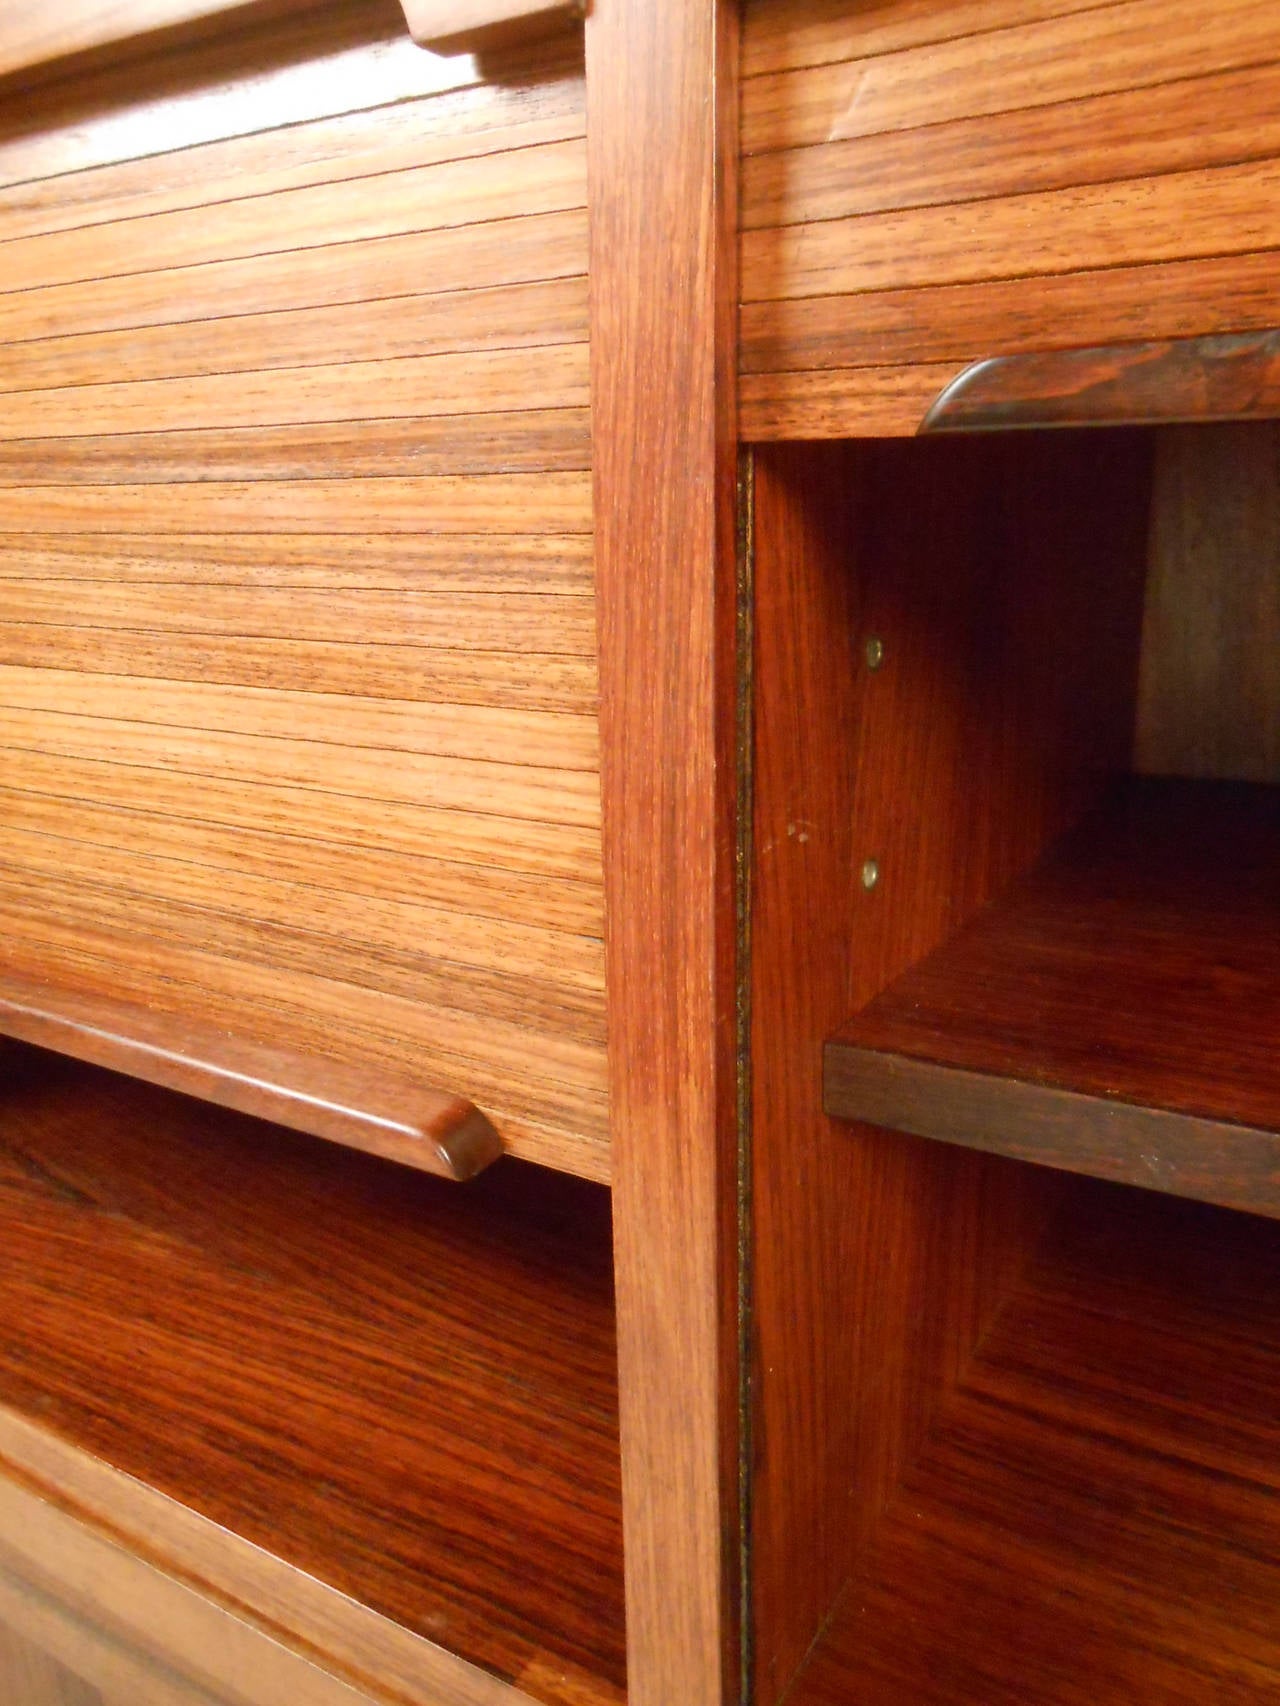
(1115, 1014)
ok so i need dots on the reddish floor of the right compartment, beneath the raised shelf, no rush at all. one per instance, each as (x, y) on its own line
(1093, 1519)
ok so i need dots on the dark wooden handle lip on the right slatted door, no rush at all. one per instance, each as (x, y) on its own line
(1185, 380)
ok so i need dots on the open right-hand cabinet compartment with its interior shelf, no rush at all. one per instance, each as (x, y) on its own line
(1018, 707)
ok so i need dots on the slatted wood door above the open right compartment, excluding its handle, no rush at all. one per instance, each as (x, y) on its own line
(928, 185)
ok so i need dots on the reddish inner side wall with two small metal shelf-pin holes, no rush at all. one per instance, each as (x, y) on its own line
(979, 569)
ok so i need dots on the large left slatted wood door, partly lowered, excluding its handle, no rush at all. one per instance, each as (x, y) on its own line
(298, 646)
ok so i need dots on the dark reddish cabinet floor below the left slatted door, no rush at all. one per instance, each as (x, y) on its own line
(395, 1386)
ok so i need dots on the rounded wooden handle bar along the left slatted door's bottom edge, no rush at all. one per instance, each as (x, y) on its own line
(364, 1110)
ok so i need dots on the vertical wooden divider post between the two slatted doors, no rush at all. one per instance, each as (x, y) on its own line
(661, 113)
